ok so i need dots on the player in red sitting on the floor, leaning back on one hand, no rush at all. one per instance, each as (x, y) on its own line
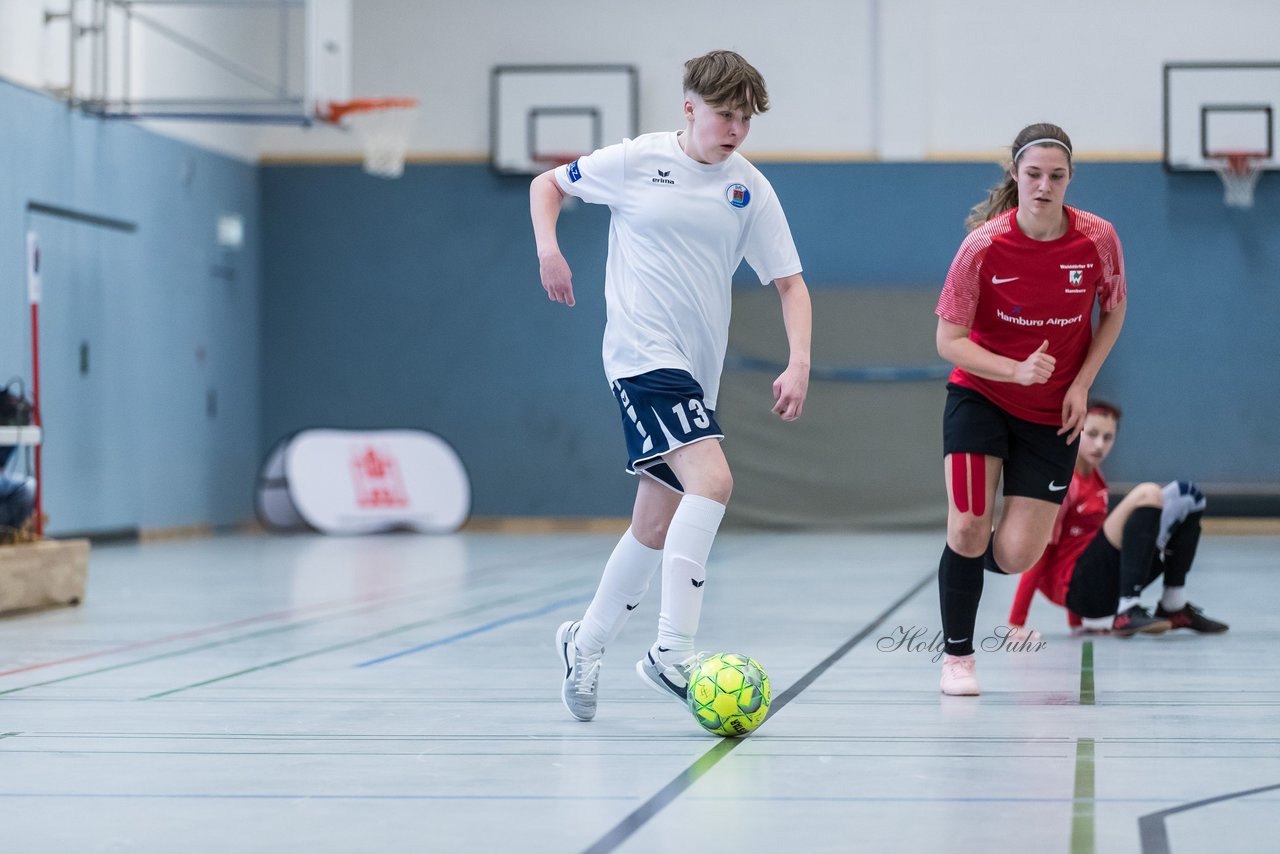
(1099, 559)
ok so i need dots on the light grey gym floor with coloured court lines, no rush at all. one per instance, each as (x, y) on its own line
(403, 695)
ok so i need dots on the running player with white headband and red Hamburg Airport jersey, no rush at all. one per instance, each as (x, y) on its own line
(1017, 321)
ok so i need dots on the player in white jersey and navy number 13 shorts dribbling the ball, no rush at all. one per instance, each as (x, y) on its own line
(685, 209)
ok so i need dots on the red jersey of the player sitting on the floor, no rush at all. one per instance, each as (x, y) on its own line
(1080, 519)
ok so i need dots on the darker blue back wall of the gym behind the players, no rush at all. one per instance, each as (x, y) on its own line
(417, 303)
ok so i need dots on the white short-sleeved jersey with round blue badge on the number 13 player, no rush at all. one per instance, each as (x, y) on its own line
(678, 232)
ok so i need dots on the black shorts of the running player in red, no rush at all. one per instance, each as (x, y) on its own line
(1039, 463)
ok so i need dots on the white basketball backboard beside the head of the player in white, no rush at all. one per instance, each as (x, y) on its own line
(543, 116)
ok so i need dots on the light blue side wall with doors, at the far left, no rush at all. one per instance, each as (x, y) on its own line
(175, 318)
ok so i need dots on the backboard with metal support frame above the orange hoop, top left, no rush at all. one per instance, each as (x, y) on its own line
(240, 61)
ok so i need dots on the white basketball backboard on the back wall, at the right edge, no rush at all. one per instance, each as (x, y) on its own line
(1214, 111)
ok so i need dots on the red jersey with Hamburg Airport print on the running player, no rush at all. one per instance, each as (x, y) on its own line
(1014, 294)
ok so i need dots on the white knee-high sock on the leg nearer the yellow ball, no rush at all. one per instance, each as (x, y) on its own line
(684, 573)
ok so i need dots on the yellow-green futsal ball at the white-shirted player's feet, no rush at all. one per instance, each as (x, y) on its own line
(729, 695)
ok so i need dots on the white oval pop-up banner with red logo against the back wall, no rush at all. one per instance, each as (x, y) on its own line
(363, 482)
